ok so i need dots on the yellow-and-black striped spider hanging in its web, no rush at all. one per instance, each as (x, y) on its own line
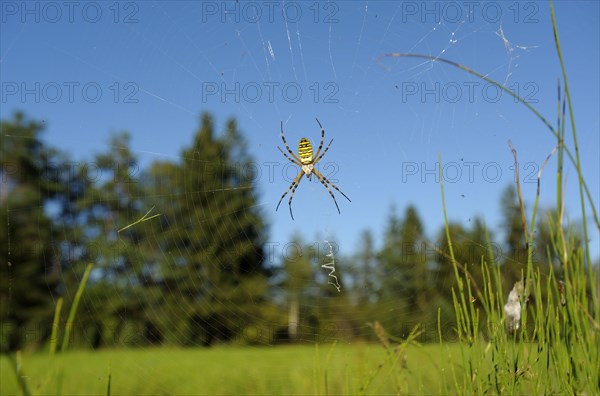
(306, 161)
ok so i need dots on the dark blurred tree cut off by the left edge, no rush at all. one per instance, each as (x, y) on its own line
(27, 264)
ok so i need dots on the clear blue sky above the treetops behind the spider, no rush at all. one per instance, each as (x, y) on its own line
(152, 67)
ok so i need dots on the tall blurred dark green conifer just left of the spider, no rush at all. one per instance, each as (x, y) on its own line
(207, 268)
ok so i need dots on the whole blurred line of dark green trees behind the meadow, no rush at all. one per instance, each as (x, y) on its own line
(199, 273)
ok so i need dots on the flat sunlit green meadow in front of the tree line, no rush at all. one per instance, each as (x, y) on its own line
(301, 369)
